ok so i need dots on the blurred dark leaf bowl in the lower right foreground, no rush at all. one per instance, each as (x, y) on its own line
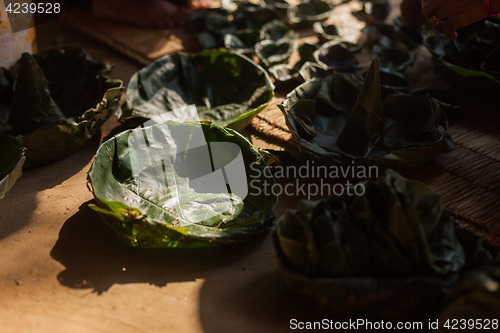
(382, 254)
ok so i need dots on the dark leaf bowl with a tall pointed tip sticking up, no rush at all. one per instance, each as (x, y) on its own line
(351, 126)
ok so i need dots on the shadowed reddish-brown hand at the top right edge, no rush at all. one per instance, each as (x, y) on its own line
(448, 16)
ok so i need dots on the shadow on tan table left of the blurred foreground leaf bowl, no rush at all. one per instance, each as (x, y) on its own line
(253, 296)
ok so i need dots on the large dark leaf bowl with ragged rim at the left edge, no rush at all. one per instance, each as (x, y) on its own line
(57, 100)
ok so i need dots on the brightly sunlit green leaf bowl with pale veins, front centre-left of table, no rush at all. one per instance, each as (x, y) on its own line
(151, 186)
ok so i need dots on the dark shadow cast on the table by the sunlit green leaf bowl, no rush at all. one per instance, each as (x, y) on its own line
(95, 258)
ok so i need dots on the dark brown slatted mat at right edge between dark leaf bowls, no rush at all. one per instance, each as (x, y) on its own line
(468, 177)
